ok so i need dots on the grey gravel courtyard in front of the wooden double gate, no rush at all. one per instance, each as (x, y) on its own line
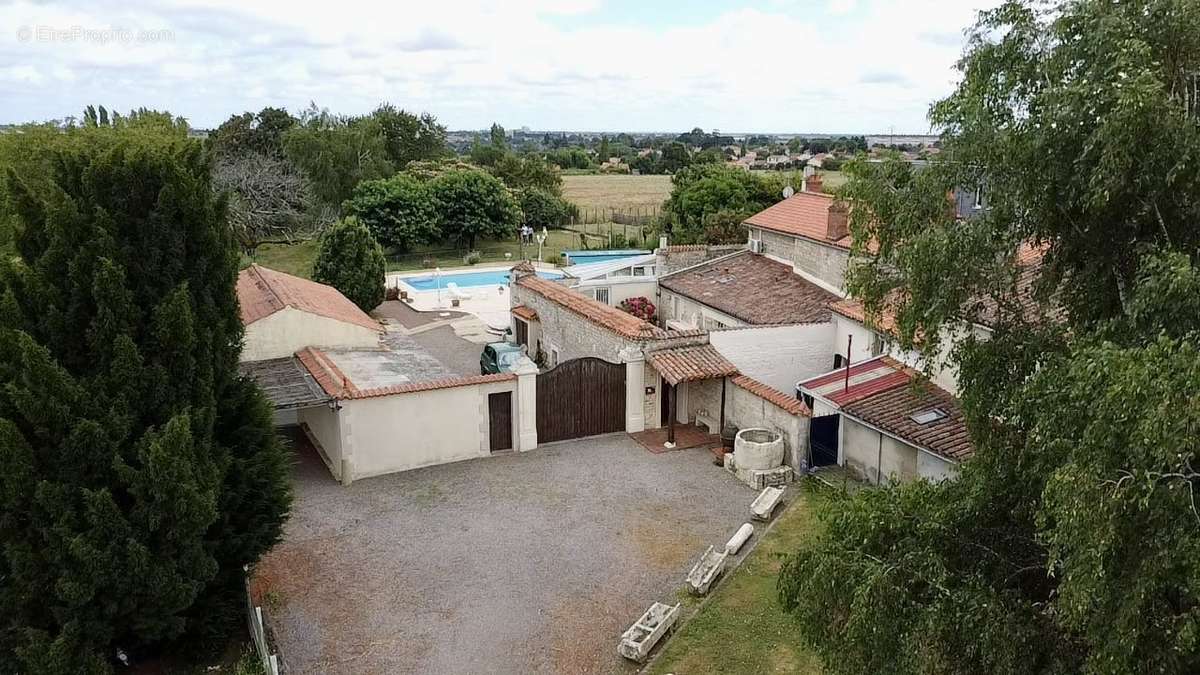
(530, 563)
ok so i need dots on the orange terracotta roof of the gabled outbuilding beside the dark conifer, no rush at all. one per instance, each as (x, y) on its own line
(263, 292)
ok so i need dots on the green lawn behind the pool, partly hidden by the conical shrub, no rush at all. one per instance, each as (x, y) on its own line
(297, 259)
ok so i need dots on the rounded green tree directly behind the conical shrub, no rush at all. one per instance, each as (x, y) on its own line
(400, 212)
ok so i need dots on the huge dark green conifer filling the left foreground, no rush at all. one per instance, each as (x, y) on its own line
(141, 471)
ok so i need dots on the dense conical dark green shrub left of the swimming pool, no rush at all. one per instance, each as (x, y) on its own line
(352, 261)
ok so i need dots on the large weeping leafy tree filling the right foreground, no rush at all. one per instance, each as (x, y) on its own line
(1071, 542)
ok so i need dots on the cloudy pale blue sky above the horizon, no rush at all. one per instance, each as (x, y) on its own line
(851, 67)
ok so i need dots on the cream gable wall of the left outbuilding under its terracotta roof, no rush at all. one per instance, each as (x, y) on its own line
(289, 331)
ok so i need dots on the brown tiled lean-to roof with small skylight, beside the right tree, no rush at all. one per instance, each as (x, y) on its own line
(891, 411)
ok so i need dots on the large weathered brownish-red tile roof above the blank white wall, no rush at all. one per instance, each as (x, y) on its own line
(753, 289)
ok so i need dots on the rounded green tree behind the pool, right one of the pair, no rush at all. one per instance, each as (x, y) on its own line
(475, 205)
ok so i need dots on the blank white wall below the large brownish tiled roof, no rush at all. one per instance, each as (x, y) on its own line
(779, 356)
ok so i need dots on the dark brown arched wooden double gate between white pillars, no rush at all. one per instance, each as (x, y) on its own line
(581, 398)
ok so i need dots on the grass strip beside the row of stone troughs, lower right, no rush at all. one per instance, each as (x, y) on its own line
(745, 606)
